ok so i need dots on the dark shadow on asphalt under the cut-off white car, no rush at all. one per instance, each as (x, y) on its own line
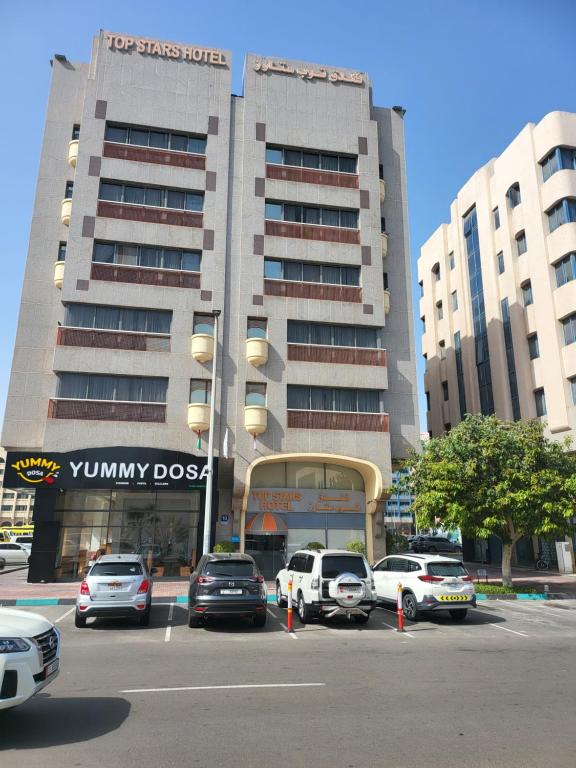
(48, 721)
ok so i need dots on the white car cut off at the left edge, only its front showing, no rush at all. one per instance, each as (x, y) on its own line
(29, 655)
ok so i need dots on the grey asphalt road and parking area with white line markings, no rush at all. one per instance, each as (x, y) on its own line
(496, 690)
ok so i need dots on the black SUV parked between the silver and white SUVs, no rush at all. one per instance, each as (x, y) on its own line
(227, 585)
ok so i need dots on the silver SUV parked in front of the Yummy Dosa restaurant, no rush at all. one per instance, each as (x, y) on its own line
(116, 585)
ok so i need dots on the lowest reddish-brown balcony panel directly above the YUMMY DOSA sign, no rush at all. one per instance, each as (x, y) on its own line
(106, 410)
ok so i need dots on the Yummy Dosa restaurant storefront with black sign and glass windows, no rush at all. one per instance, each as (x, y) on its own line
(112, 500)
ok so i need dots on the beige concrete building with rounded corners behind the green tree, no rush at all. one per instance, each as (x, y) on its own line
(498, 288)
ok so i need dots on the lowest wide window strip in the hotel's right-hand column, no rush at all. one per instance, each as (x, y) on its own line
(303, 398)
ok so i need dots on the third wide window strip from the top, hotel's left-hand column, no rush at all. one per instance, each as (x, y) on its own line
(147, 256)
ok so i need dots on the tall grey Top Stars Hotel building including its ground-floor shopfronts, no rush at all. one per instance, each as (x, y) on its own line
(169, 212)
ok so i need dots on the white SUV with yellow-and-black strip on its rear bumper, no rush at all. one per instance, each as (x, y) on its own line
(429, 583)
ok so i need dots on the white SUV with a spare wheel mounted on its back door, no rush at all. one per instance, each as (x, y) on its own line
(328, 583)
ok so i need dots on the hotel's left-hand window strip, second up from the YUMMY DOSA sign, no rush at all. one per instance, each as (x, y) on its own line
(117, 318)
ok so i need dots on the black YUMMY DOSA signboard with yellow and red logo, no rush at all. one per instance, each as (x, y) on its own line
(106, 468)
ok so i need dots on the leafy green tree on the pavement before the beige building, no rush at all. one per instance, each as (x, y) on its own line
(489, 476)
